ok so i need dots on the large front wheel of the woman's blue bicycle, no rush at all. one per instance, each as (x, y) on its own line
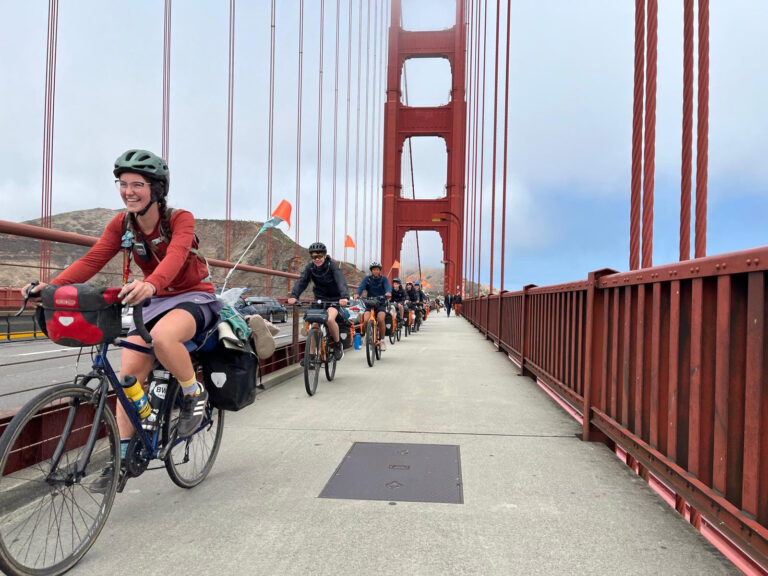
(50, 516)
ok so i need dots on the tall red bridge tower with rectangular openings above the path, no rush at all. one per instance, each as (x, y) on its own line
(445, 215)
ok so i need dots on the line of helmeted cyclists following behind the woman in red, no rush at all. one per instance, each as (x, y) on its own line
(329, 284)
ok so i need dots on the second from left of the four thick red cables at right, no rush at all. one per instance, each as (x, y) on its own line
(649, 160)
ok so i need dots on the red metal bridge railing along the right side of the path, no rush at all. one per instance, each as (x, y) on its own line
(667, 365)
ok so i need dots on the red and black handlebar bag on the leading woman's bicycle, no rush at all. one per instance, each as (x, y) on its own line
(79, 314)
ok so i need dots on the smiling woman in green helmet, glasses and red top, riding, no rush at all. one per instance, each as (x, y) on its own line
(176, 280)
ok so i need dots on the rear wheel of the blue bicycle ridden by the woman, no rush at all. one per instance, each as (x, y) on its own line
(190, 460)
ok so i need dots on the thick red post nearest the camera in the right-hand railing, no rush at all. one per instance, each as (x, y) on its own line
(593, 350)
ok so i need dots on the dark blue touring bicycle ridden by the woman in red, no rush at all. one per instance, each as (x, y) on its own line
(60, 464)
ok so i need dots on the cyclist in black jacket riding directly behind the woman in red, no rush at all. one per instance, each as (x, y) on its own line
(328, 283)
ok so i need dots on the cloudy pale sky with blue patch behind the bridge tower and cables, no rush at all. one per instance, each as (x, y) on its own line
(570, 121)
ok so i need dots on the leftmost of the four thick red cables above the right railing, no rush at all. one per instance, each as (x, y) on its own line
(637, 137)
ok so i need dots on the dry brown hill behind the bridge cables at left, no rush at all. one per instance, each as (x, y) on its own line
(20, 257)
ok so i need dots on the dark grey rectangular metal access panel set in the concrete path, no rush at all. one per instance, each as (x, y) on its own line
(398, 472)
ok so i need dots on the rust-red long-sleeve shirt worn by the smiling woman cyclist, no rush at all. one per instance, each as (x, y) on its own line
(178, 269)
